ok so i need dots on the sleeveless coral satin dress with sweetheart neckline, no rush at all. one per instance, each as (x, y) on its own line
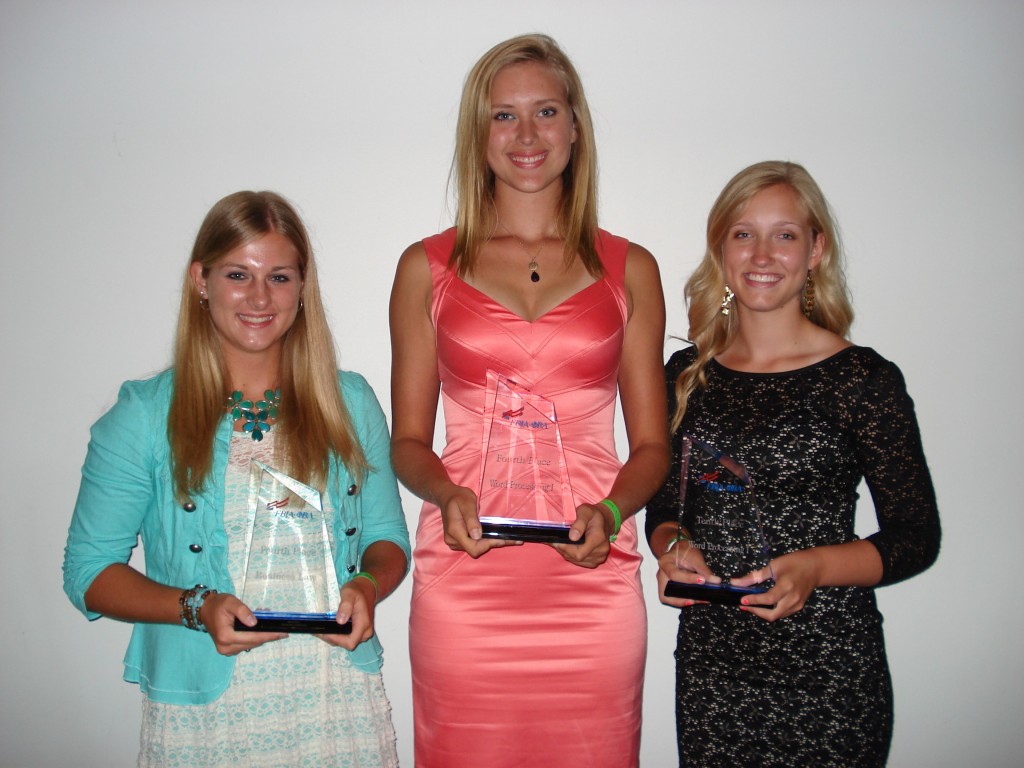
(520, 658)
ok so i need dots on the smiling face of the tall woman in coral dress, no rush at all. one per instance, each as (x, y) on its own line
(532, 129)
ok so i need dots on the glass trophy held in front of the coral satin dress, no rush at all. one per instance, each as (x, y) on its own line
(525, 491)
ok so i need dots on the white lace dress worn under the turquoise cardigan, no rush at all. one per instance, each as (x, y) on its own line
(297, 702)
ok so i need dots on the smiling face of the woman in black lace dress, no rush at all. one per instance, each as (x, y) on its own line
(769, 250)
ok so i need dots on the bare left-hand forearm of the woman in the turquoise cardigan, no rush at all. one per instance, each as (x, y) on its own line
(121, 592)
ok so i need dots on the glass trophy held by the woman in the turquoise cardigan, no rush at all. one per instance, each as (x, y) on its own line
(290, 581)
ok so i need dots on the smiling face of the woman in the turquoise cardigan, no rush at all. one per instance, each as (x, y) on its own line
(253, 293)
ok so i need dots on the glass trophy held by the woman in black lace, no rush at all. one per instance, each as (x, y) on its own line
(723, 522)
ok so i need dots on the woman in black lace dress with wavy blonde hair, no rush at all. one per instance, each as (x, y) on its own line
(798, 675)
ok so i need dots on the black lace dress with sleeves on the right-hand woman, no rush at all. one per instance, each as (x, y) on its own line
(812, 690)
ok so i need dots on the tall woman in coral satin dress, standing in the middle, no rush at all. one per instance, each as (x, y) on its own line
(528, 654)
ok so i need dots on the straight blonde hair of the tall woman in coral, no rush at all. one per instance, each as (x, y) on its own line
(475, 182)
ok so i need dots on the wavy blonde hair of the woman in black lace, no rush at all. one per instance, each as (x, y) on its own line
(711, 332)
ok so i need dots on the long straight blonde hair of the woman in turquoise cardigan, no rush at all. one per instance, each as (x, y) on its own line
(314, 424)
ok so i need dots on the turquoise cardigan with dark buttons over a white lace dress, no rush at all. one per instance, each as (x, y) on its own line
(127, 494)
